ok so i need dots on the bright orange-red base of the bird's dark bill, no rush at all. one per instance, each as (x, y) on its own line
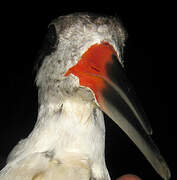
(92, 67)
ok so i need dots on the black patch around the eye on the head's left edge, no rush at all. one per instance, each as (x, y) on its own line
(49, 45)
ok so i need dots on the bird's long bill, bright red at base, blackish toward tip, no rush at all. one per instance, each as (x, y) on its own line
(100, 70)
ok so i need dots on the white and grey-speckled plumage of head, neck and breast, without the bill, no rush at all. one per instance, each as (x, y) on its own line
(68, 139)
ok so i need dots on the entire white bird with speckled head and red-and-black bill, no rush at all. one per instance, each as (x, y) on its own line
(68, 140)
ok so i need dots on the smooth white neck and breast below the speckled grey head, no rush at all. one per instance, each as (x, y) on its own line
(66, 140)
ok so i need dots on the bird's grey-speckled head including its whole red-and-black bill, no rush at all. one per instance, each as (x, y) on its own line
(83, 56)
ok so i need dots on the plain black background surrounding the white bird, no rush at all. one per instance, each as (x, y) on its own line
(146, 61)
